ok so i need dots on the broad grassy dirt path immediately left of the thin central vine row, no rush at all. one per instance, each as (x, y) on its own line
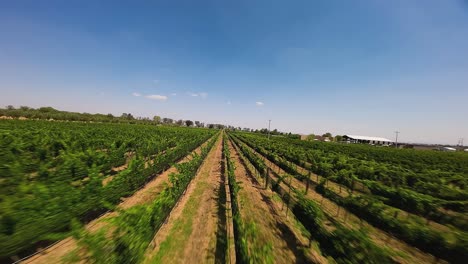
(190, 234)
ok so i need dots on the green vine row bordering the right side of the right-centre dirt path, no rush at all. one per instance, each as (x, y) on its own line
(334, 240)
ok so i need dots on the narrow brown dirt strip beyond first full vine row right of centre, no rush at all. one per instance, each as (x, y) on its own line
(378, 236)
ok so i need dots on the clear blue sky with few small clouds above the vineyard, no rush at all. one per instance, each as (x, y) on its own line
(347, 67)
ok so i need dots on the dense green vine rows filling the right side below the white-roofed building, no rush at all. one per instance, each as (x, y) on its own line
(389, 174)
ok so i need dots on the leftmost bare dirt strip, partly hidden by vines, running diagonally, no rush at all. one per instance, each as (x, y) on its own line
(148, 193)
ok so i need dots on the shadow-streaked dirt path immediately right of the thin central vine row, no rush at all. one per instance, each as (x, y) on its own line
(256, 205)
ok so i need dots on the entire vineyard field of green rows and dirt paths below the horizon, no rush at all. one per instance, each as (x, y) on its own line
(140, 193)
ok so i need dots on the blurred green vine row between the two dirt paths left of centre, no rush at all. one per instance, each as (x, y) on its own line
(134, 228)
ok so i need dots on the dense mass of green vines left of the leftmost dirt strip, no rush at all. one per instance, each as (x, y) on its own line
(53, 172)
